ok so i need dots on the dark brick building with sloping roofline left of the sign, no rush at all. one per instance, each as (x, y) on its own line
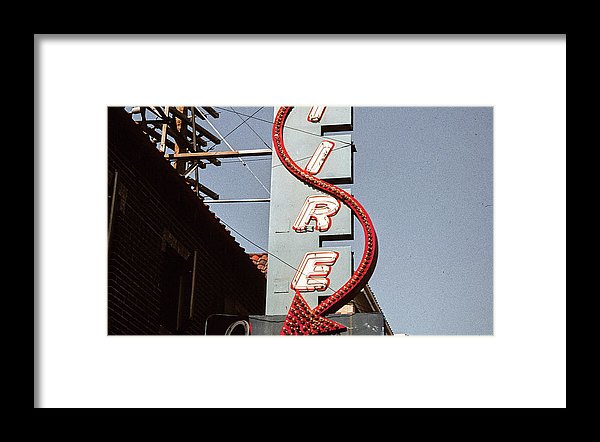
(171, 263)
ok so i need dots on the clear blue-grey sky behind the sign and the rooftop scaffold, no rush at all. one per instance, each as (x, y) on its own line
(425, 176)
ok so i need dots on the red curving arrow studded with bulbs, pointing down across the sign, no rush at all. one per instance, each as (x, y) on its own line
(301, 320)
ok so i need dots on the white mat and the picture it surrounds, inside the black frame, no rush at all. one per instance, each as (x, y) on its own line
(201, 200)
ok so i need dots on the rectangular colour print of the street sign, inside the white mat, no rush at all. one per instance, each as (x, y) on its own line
(300, 220)
